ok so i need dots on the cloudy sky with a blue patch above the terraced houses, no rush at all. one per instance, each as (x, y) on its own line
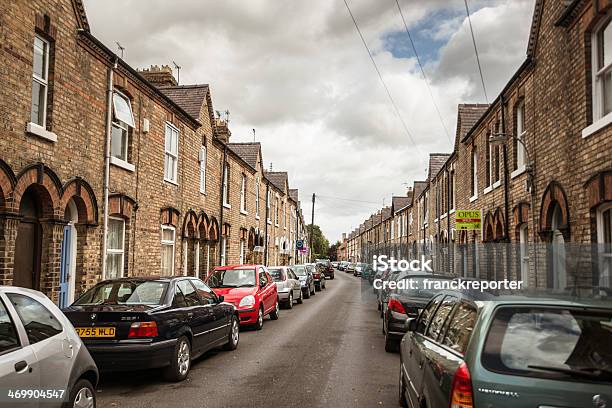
(297, 72)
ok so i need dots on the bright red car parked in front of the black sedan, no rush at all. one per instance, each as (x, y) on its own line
(250, 288)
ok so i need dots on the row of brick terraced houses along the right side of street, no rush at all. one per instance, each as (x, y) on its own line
(537, 162)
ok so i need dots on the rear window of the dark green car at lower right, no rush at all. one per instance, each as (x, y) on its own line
(550, 342)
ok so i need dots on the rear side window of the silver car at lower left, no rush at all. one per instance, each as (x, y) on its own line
(38, 321)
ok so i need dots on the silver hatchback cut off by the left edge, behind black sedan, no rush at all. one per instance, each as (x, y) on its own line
(42, 359)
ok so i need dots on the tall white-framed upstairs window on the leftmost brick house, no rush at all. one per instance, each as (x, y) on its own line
(40, 85)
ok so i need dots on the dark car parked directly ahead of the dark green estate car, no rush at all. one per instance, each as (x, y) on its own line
(403, 304)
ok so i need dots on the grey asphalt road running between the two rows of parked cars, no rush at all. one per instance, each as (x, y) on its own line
(327, 352)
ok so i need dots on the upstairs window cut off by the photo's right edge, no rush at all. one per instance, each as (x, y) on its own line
(602, 71)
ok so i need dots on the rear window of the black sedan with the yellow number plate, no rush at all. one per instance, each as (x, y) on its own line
(124, 293)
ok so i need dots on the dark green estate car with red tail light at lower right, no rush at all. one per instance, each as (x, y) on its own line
(482, 350)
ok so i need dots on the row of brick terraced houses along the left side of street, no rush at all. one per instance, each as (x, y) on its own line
(93, 148)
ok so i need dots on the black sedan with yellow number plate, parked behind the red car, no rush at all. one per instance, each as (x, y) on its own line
(142, 323)
